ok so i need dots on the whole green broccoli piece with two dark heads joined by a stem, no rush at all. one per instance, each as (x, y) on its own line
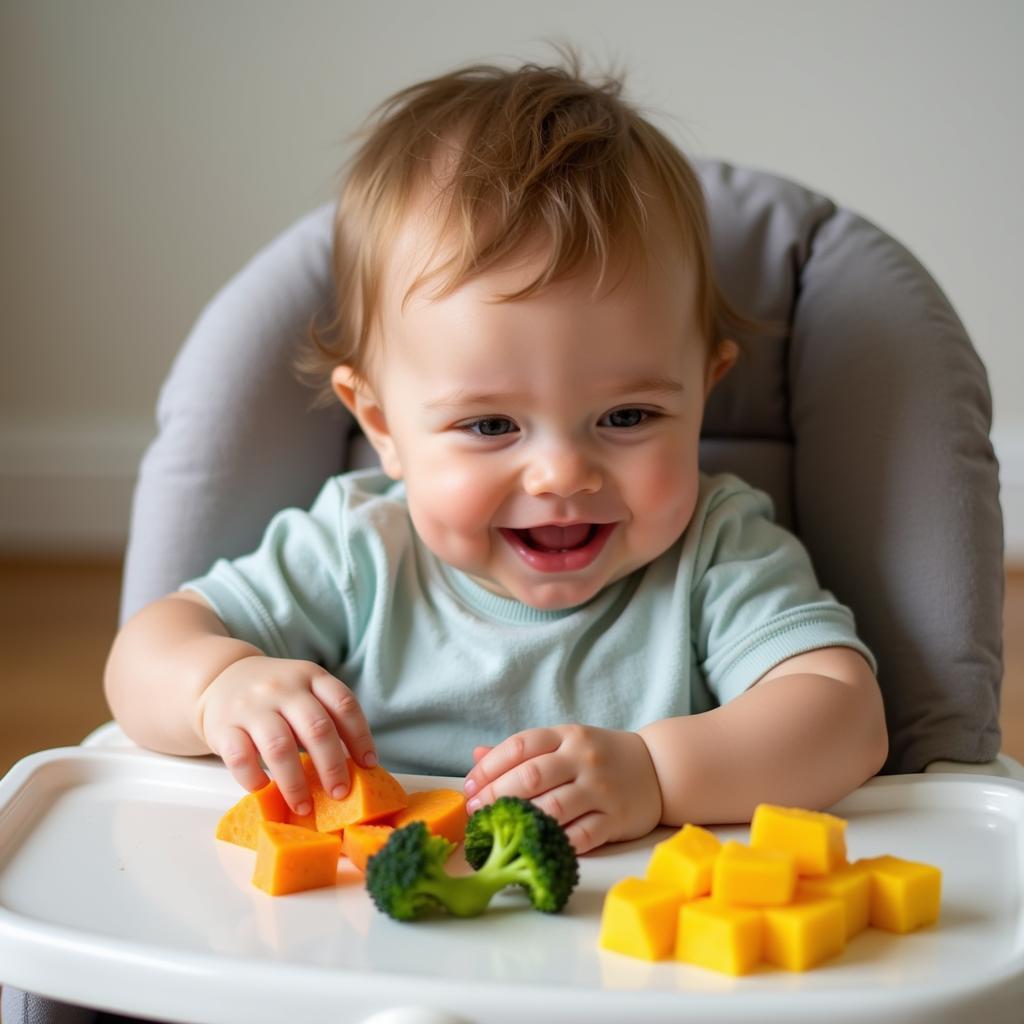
(513, 843)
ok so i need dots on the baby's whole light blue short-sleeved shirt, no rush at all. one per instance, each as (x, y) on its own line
(441, 665)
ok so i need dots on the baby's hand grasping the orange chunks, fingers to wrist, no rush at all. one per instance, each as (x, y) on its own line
(267, 707)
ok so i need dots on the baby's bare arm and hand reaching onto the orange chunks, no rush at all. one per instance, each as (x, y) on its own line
(179, 684)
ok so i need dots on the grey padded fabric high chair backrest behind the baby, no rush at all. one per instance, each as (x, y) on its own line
(868, 421)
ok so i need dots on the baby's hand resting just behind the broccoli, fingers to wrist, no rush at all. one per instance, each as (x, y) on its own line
(600, 784)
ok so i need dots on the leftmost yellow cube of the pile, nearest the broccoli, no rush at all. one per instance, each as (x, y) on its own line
(639, 919)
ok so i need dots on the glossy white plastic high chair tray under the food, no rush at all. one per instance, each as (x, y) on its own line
(114, 893)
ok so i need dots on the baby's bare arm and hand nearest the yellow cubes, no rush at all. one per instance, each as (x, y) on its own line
(806, 735)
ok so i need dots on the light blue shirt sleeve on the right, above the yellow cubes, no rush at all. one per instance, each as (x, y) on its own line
(756, 601)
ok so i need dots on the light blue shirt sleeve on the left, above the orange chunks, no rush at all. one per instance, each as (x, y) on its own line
(293, 598)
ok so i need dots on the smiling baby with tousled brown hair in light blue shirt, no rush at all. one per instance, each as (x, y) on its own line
(539, 586)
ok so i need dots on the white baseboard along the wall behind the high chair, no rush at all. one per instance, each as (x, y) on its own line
(67, 487)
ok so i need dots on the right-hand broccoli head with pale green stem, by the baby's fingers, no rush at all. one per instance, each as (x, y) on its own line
(516, 842)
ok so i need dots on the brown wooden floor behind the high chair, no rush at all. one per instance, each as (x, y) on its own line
(58, 620)
